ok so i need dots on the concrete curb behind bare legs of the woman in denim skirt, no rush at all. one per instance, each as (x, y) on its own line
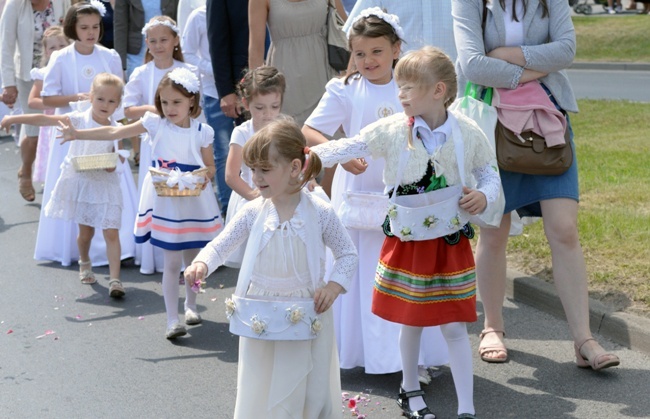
(625, 329)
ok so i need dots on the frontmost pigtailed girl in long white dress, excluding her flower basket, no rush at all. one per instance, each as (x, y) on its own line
(289, 230)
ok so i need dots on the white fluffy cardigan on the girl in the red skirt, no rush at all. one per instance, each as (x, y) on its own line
(388, 137)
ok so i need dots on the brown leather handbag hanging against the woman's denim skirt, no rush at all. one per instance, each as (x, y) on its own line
(527, 153)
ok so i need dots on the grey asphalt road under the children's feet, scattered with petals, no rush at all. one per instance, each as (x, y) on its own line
(68, 351)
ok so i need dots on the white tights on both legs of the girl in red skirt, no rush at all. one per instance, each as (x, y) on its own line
(460, 362)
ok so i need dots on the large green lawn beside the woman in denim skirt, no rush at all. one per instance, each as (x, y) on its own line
(613, 152)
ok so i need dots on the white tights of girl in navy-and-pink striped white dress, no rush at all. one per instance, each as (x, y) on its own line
(174, 260)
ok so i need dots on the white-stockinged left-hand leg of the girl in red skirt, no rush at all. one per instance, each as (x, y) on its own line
(409, 345)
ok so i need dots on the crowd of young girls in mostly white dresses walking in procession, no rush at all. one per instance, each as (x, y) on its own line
(399, 285)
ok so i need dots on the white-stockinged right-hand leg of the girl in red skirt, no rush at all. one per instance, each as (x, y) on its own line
(460, 362)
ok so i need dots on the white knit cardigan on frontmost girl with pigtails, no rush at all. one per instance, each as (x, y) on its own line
(314, 221)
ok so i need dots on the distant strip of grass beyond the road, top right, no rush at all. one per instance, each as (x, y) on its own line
(613, 39)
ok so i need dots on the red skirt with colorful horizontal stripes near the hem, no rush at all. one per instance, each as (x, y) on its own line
(425, 283)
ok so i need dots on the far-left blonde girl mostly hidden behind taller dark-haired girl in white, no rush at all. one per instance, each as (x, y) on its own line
(53, 40)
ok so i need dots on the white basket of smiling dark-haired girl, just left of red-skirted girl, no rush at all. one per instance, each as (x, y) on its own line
(363, 210)
